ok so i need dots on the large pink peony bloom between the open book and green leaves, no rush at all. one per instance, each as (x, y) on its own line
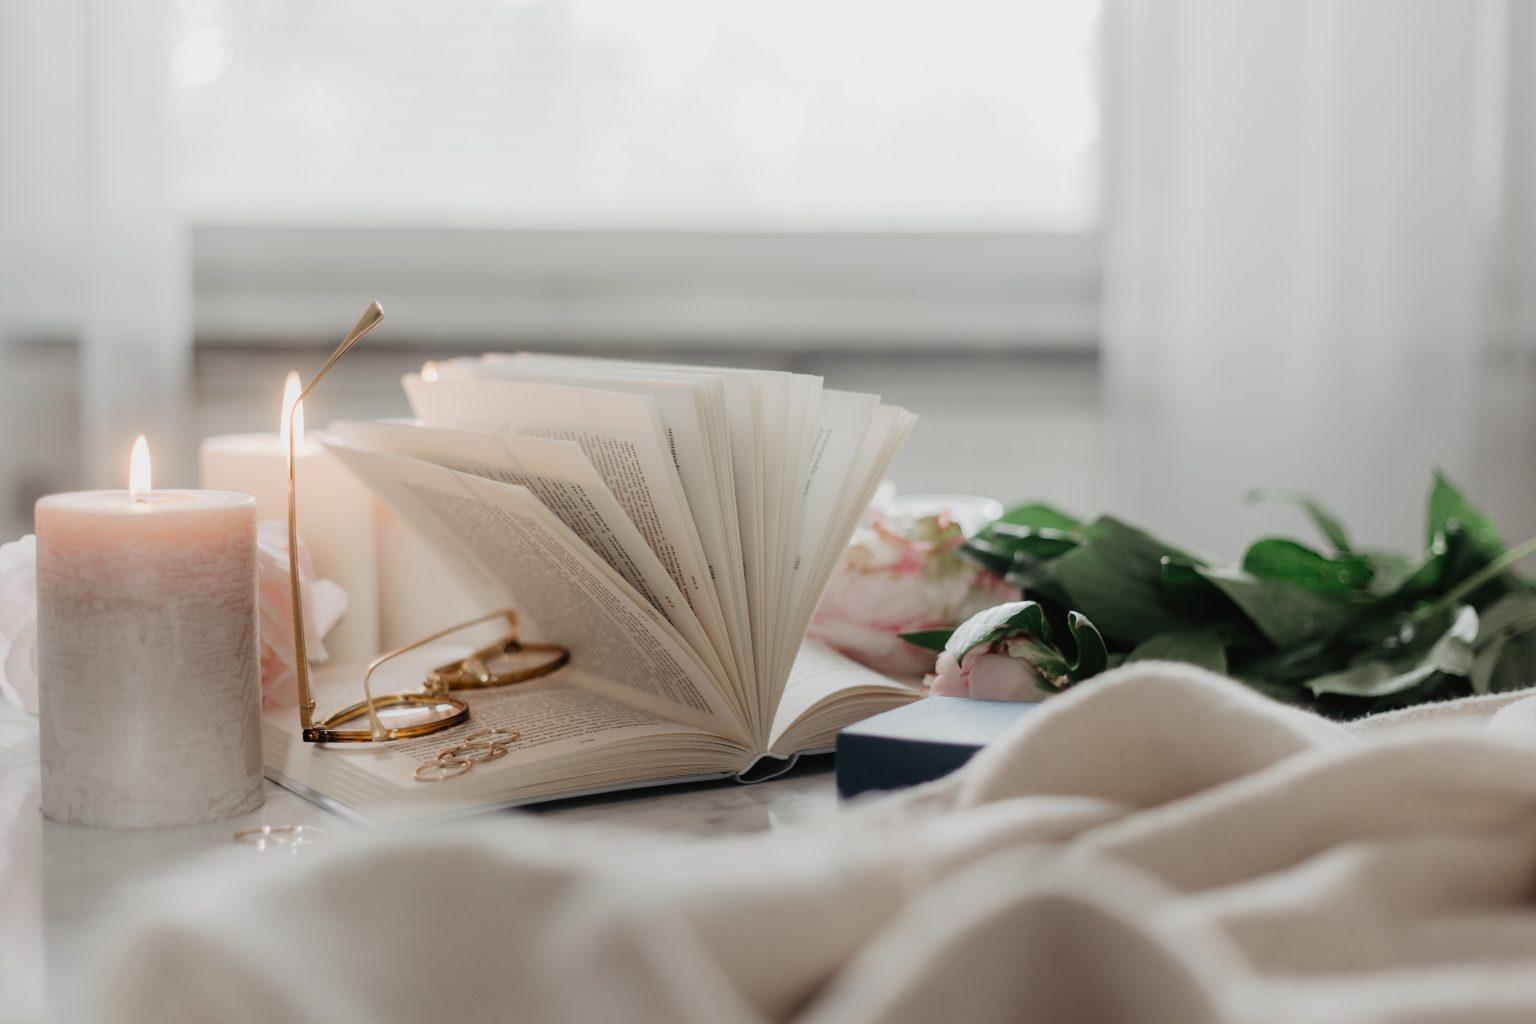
(904, 573)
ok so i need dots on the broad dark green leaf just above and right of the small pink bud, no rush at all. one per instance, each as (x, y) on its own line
(1116, 580)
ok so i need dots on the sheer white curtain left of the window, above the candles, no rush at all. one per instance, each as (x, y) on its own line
(93, 248)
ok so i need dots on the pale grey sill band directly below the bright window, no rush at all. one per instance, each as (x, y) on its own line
(790, 291)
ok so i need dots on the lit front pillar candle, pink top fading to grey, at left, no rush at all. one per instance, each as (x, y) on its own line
(148, 658)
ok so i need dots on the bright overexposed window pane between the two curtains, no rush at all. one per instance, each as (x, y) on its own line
(641, 114)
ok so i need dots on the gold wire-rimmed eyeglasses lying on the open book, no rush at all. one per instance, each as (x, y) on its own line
(431, 709)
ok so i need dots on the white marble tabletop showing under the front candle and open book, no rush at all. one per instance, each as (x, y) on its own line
(59, 880)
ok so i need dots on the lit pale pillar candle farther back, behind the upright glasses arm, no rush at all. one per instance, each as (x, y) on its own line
(336, 517)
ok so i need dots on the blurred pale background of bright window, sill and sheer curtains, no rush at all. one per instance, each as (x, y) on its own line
(1128, 256)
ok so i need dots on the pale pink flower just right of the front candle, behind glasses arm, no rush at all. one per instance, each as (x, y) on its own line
(325, 604)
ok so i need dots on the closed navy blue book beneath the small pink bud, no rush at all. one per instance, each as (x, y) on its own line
(925, 741)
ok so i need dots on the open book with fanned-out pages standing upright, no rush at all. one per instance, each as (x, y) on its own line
(674, 527)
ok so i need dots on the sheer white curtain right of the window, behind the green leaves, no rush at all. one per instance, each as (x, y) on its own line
(1319, 240)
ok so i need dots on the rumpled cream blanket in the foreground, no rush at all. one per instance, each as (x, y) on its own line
(1159, 845)
